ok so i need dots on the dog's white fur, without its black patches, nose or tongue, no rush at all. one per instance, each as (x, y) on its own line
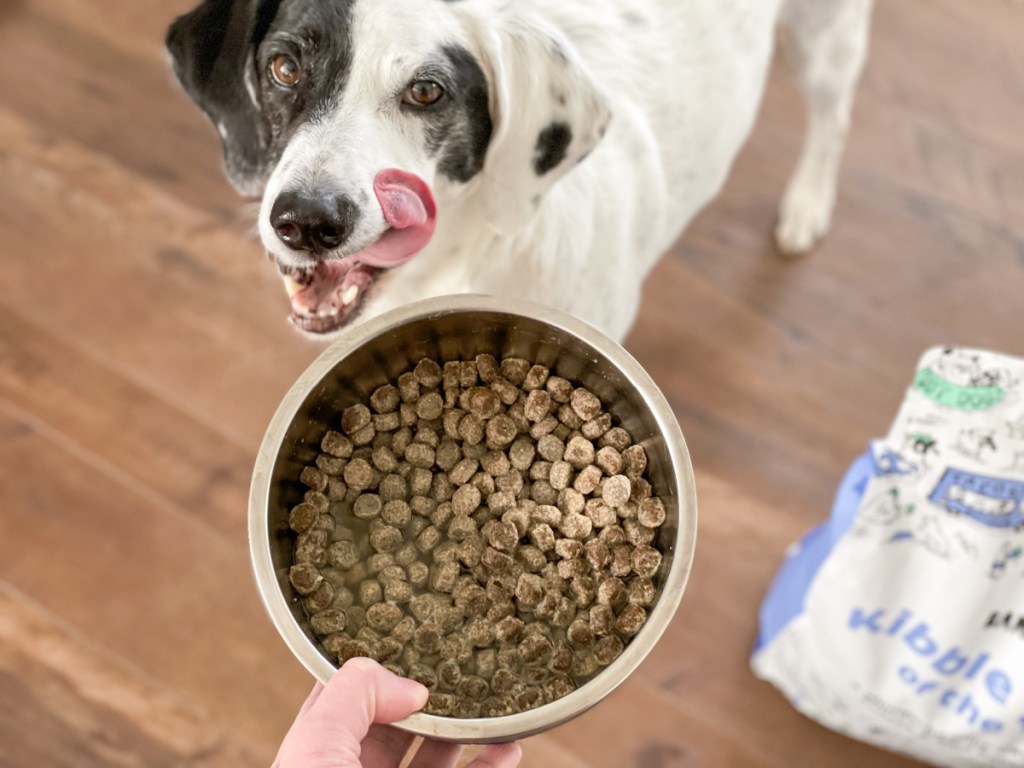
(678, 83)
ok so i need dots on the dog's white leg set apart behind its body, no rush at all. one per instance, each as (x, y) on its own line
(827, 44)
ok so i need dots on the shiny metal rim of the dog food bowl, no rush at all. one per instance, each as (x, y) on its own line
(520, 726)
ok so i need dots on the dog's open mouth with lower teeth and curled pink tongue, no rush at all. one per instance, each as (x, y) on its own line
(330, 294)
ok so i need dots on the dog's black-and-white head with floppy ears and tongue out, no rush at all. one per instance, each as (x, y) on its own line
(359, 121)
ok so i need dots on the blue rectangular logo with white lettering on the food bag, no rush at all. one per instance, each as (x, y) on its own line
(992, 501)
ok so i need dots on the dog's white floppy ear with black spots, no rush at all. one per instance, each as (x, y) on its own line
(549, 113)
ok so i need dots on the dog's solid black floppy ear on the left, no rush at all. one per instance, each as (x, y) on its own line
(212, 53)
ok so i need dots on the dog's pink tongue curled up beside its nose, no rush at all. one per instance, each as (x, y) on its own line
(409, 209)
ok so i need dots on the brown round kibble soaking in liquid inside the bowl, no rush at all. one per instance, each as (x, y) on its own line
(482, 527)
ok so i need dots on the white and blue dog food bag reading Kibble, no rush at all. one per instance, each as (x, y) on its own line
(901, 621)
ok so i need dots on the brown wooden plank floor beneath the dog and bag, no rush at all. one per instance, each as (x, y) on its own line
(144, 349)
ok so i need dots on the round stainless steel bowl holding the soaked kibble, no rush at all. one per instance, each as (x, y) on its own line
(461, 327)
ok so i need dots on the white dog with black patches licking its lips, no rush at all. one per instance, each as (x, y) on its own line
(551, 151)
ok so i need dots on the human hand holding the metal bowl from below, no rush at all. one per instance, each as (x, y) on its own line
(345, 726)
